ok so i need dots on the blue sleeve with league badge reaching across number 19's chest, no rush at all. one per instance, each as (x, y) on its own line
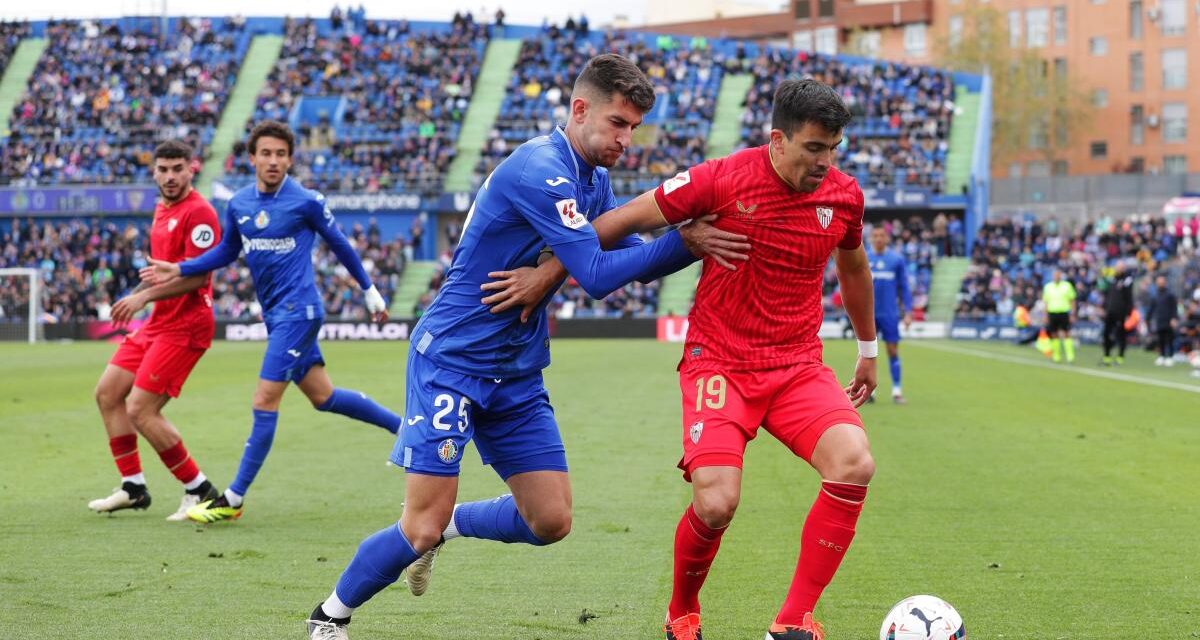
(553, 212)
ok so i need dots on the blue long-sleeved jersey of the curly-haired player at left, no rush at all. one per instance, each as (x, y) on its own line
(277, 232)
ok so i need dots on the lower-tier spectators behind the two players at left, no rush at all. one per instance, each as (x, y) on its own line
(88, 265)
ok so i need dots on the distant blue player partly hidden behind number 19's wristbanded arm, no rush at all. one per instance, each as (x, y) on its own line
(891, 291)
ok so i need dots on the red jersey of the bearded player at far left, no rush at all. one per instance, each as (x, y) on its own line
(183, 231)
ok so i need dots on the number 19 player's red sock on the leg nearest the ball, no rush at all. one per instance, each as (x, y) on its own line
(824, 543)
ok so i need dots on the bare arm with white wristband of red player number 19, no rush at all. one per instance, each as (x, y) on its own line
(859, 297)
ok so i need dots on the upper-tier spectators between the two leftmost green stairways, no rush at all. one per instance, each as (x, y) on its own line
(104, 94)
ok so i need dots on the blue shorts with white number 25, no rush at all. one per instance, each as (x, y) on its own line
(511, 421)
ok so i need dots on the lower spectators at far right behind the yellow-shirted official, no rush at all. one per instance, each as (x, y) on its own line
(1013, 260)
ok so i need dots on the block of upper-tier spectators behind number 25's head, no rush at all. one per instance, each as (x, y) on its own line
(687, 76)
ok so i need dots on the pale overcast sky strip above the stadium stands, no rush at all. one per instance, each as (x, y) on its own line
(519, 11)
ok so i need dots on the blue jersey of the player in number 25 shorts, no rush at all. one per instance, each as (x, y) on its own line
(543, 195)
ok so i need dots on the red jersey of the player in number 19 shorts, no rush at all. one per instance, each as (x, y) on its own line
(769, 313)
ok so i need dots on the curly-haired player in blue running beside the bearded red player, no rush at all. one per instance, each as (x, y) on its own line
(275, 223)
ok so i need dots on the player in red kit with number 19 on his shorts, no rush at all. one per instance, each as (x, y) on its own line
(753, 357)
